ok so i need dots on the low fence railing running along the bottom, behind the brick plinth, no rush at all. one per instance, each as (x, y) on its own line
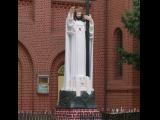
(104, 116)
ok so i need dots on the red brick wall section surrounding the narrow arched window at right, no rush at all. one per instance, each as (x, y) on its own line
(119, 92)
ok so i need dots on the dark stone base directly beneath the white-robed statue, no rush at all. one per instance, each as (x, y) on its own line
(68, 99)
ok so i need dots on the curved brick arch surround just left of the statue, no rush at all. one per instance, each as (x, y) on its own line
(57, 62)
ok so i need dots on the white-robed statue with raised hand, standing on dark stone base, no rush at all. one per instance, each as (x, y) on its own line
(75, 78)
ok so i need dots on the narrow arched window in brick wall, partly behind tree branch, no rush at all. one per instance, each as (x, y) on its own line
(118, 35)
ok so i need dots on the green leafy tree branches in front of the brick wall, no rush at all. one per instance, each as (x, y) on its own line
(131, 20)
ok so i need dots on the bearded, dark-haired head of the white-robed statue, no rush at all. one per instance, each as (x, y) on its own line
(78, 14)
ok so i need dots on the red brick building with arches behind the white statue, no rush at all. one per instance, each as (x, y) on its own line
(41, 30)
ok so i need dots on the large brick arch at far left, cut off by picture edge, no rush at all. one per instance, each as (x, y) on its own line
(26, 73)
